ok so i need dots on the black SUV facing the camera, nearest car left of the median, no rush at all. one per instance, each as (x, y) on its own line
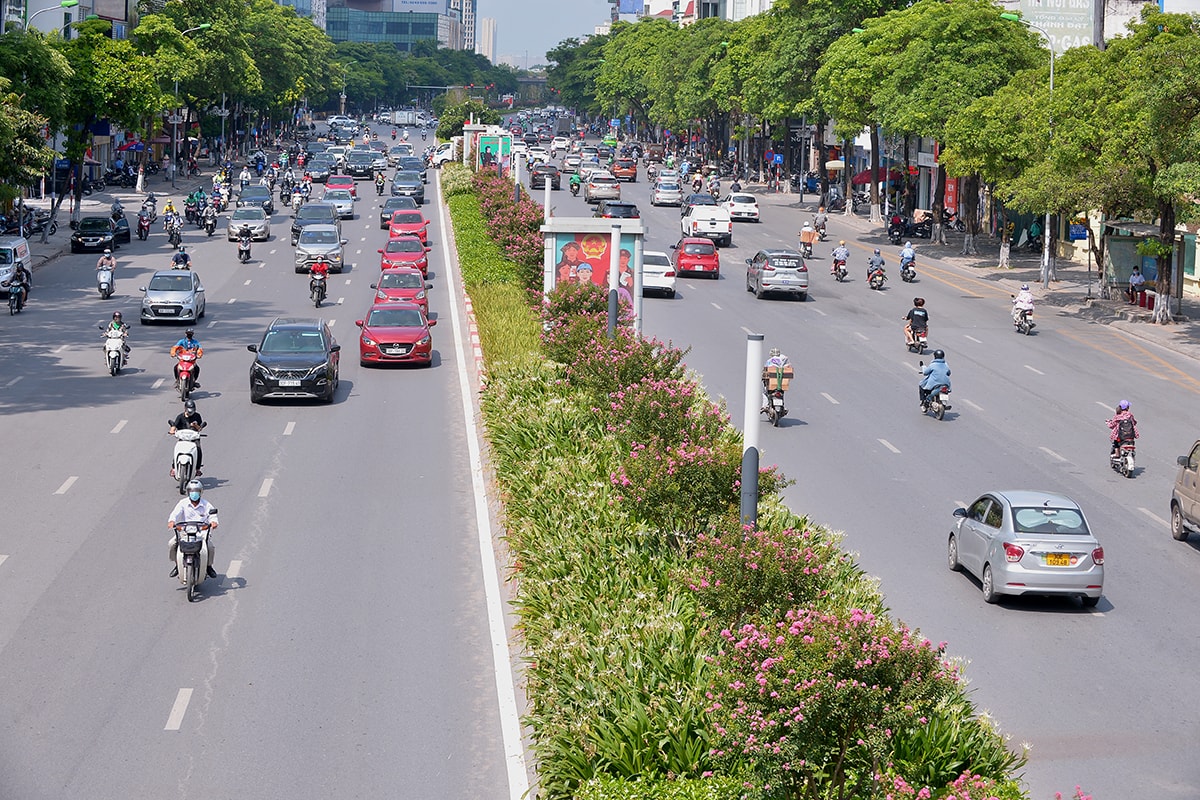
(297, 358)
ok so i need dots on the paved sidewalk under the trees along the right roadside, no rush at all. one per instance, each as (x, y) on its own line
(1073, 293)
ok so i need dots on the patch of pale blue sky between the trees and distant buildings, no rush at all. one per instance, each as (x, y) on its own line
(538, 26)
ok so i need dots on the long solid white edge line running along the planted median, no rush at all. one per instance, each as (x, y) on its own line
(502, 664)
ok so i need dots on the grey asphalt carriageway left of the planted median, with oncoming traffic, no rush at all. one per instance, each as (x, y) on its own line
(344, 652)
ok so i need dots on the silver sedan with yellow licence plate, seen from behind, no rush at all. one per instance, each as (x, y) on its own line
(1028, 543)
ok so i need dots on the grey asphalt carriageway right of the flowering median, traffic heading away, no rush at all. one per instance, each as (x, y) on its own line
(1105, 696)
